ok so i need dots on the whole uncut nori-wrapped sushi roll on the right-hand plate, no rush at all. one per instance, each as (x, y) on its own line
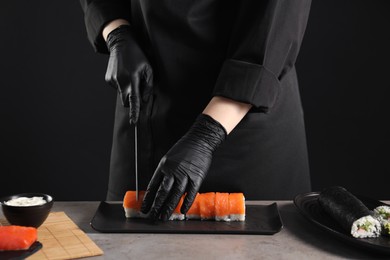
(349, 212)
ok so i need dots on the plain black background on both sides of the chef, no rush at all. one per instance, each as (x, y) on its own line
(56, 111)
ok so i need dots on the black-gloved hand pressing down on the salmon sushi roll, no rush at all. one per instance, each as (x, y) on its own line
(183, 169)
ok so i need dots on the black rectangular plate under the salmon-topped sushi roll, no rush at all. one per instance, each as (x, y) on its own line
(260, 220)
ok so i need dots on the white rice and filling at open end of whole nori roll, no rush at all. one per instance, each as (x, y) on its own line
(366, 226)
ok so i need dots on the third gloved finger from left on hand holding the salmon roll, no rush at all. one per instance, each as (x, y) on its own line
(176, 193)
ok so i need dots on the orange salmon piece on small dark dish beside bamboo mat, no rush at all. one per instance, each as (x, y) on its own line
(17, 237)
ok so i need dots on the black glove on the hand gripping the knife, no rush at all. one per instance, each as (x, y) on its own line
(128, 70)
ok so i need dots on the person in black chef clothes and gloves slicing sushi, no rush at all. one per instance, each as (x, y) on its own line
(211, 86)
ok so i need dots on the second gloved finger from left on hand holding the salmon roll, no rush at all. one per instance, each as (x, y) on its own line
(161, 196)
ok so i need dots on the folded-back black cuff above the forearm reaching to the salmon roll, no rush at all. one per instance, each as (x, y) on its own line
(248, 83)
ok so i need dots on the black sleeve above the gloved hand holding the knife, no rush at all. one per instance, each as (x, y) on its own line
(97, 13)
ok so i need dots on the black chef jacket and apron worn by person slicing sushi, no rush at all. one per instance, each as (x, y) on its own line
(244, 50)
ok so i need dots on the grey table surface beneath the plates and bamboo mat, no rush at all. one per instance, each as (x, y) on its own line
(299, 239)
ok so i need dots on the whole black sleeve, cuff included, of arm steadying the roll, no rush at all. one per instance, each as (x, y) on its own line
(263, 47)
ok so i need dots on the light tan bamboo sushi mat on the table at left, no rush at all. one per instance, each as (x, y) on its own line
(63, 239)
